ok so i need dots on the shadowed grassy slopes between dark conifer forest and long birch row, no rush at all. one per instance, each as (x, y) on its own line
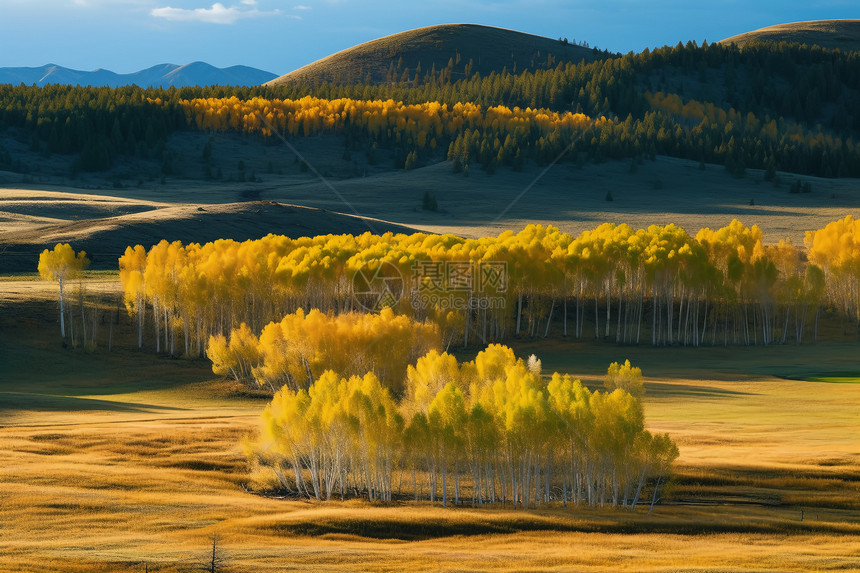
(95, 215)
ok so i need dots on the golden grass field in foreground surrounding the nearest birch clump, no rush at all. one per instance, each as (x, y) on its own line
(123, 461)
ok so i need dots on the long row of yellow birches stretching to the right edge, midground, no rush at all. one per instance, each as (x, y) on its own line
(657, 285)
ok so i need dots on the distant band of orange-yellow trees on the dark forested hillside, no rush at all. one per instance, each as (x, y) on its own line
(468, 131)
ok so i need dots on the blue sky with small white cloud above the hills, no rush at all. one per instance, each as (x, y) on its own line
(128, 35)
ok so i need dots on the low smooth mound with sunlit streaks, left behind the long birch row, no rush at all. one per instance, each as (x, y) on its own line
(32, 220)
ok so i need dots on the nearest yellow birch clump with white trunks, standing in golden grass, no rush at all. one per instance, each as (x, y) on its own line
(491, 430)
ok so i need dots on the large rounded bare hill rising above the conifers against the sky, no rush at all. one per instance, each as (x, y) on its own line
(463, 49)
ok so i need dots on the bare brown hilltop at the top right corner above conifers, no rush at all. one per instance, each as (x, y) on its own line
(832, 34)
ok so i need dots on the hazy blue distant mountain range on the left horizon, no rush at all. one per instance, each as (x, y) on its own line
(162, 75)
